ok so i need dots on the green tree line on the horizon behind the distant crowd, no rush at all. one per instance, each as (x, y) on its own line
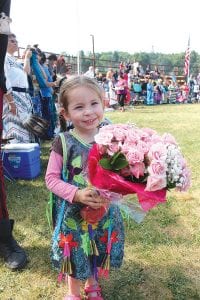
(167, 63)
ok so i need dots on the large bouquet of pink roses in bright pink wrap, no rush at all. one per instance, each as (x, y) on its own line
(128, 160)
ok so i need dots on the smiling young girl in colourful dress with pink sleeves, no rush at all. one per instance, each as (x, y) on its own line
(80, 249)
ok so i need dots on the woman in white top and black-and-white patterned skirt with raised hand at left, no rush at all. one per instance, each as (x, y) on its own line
(17, 101)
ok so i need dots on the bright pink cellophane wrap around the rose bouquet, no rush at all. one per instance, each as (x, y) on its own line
(108, 180)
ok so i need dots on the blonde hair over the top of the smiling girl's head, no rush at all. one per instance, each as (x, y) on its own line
(78, 81)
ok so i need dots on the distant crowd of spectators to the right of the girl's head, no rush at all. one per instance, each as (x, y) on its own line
(147, 87)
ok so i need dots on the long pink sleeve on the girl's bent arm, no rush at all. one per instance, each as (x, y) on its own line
(53, 178)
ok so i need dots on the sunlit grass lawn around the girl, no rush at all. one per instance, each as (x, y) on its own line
(162, 254)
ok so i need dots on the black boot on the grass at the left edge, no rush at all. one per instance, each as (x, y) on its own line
(13, 255)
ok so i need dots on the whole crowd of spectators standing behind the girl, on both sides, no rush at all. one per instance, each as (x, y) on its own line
(36, 87)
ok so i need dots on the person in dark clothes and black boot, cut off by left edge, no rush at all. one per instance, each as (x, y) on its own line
(14, 256)
